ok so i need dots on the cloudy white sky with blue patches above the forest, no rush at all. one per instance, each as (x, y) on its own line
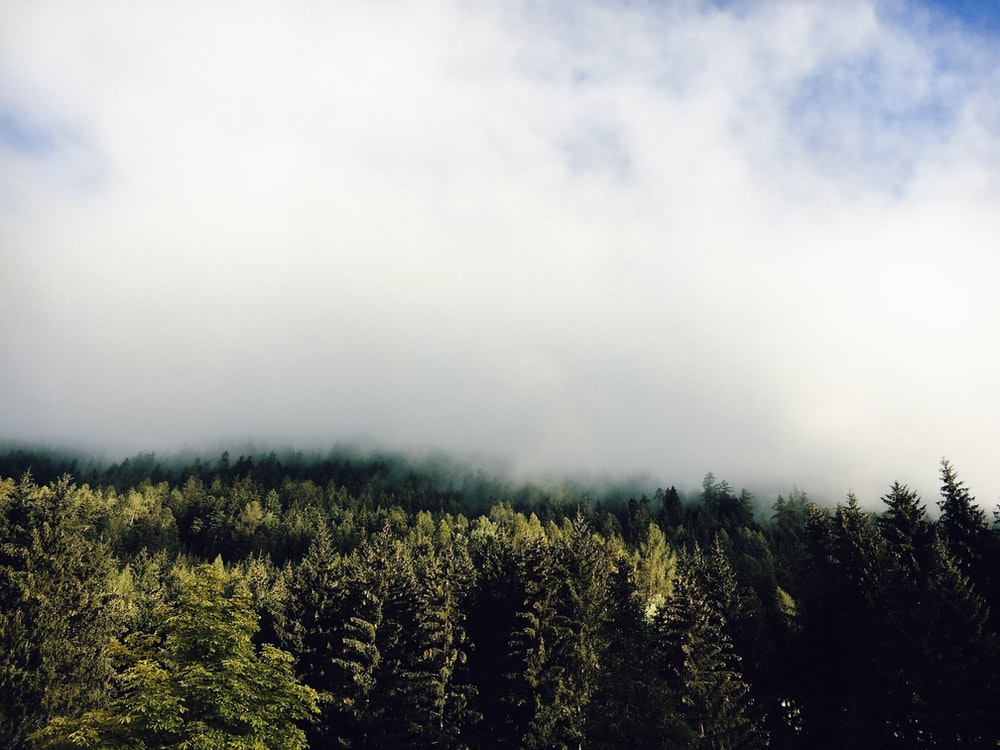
(760, 239)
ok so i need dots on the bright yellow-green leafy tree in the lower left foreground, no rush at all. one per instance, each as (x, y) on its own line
(203, 686)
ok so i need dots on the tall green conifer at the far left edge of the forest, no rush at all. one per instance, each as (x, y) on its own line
(58, 617)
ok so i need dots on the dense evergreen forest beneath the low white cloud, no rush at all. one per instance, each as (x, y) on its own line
(371, 601)
